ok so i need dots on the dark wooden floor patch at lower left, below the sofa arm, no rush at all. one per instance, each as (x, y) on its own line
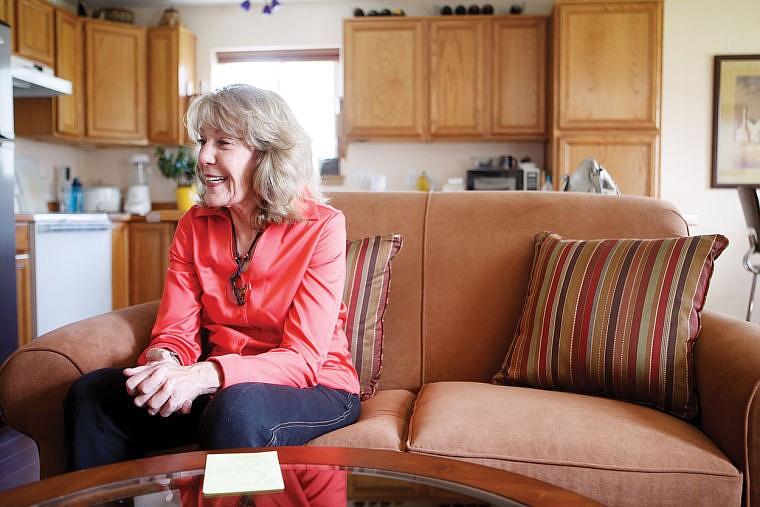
(19, 463)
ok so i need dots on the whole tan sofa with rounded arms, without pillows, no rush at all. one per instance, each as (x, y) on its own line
(457, 290)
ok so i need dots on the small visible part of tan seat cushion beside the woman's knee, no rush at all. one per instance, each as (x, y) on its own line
(382, 424)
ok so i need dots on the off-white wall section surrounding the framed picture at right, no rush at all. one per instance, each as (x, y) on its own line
(695, 31)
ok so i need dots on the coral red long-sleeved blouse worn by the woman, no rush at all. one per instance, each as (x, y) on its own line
(290, 330)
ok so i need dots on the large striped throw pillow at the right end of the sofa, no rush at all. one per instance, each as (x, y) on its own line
(615, 317)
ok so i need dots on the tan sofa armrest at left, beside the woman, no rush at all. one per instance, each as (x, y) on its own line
(35, 379)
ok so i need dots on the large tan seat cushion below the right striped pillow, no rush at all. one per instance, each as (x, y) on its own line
(615, 452)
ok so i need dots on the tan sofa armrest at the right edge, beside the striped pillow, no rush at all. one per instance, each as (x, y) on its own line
(727, 364)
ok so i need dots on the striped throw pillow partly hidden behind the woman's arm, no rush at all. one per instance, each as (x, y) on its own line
(368, 278)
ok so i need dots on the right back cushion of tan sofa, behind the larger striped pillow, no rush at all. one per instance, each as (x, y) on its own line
(478, 256)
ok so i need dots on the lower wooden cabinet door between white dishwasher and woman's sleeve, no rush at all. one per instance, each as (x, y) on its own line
(148, 259)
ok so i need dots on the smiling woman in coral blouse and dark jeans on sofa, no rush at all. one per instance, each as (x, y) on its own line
(251, 311)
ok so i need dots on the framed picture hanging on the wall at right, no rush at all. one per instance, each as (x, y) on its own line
(736, 121)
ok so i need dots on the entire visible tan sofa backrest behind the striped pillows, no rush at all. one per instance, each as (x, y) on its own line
(472, 252)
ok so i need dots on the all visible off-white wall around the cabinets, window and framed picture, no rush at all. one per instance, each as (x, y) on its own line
(694, 31)
